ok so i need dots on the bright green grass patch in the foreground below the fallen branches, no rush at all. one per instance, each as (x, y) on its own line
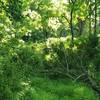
(46, 89)
